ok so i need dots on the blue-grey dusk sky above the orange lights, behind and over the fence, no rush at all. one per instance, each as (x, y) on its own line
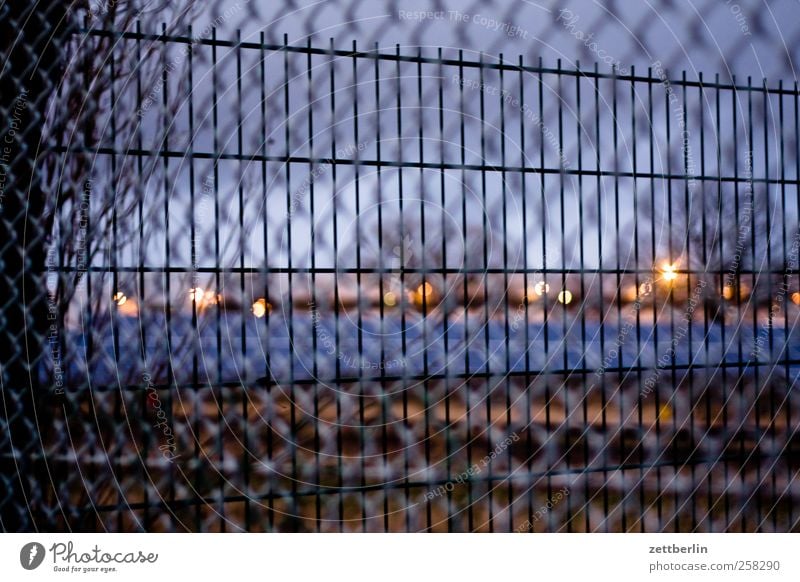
(745, 38)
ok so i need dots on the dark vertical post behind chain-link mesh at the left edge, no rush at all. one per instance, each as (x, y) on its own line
(33, 37)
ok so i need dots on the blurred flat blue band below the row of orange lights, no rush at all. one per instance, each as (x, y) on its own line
(237, 347)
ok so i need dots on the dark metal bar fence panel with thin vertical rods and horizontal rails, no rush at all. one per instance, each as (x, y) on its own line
(343, 288)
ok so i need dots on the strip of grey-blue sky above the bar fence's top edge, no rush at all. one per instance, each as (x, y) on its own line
(742, 37)
